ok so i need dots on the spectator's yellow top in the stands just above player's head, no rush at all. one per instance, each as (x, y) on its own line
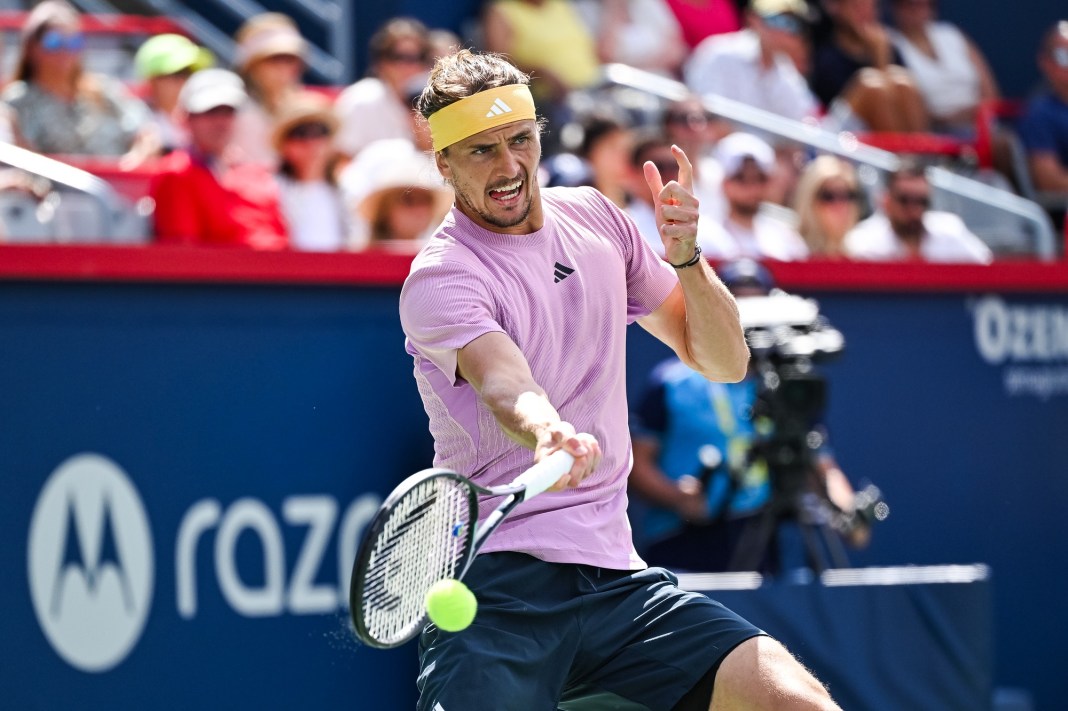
(552, 36)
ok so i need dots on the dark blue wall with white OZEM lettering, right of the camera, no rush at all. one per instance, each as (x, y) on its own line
(956, 406)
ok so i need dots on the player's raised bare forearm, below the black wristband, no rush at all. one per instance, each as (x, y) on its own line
(714, 339)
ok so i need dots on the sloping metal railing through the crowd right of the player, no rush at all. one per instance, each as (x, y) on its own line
(1034, 222)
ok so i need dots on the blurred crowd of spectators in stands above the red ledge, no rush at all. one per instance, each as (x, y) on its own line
(260, 151)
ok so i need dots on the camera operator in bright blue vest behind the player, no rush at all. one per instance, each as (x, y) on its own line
(702, 484)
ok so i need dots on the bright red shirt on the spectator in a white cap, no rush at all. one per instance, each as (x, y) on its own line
(239, 209)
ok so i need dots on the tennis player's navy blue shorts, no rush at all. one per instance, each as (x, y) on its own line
(553, 637)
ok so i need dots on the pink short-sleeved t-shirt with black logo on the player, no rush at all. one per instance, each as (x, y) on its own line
(564, 295)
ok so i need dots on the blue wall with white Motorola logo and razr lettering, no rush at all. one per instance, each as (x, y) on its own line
(274, 415)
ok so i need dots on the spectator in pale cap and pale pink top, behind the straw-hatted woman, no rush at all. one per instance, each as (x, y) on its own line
(271, 60)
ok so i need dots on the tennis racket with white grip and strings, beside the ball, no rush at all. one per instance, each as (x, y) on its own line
(426, 531)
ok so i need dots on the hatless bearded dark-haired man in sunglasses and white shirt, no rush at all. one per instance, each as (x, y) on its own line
(908, 230)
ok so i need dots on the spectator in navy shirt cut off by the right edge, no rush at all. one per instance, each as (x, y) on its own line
(1044, 130)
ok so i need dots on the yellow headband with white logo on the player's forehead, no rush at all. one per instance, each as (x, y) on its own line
(479, 113)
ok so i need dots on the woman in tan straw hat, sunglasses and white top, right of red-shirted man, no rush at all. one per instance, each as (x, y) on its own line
(311, 201)
